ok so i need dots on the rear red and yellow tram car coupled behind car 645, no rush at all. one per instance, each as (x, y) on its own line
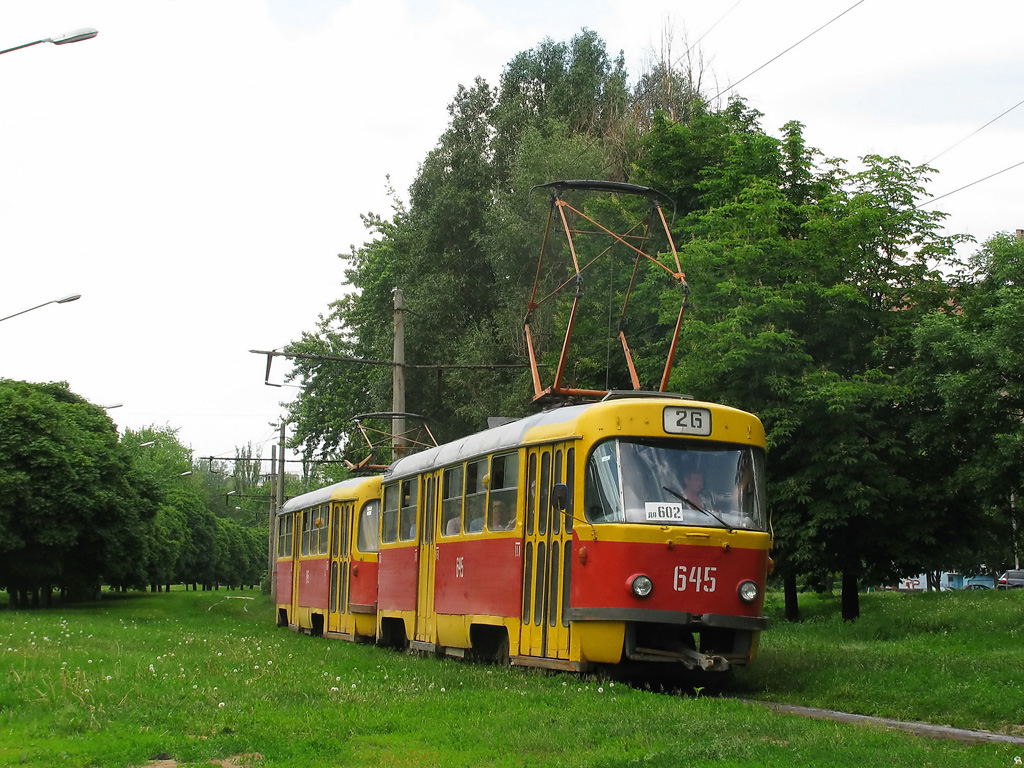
(327, 561)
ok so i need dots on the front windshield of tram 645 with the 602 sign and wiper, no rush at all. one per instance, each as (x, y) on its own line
(668, 484)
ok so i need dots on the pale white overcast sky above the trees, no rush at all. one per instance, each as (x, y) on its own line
(195, 170)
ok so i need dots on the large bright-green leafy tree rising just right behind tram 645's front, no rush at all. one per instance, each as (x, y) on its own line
(806, 289)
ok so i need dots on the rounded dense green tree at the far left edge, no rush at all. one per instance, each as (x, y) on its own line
(73, 511)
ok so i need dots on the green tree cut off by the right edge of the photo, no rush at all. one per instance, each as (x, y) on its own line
(971, 373)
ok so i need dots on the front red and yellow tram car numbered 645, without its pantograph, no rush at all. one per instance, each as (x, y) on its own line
(626, 531)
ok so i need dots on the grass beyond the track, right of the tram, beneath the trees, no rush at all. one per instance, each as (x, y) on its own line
(945, 658)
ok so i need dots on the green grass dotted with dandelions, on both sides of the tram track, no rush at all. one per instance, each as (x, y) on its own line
(207, 675)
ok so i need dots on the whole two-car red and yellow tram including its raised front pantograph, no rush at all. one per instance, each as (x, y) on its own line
(626, 530)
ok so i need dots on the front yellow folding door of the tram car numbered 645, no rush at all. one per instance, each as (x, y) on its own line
(546, 562)
